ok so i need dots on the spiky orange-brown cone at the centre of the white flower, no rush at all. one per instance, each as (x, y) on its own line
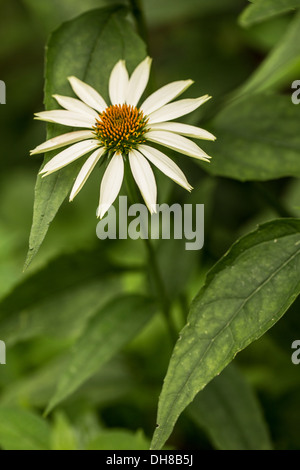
(121, 127)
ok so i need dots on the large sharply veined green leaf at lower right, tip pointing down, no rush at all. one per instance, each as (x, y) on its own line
(244, 295)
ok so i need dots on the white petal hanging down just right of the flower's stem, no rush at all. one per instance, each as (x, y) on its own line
(144, 178)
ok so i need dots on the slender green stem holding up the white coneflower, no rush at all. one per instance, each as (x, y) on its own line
(154, 267)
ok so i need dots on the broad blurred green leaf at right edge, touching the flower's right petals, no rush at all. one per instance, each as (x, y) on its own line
(257, 139)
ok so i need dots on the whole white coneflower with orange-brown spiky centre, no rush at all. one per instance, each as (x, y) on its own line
(124, 130)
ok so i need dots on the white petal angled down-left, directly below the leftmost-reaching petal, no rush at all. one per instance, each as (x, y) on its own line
(69, 155)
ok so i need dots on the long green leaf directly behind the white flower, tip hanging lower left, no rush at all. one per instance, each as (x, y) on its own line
(86, 47)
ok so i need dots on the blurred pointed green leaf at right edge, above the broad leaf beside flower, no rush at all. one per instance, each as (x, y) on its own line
(281, 66)
